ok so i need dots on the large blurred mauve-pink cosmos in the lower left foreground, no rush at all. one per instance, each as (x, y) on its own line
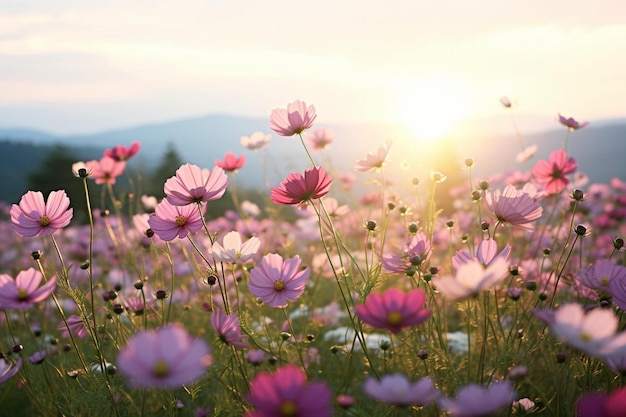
(165, 358)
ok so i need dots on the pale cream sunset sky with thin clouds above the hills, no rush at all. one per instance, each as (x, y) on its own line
(83, 66)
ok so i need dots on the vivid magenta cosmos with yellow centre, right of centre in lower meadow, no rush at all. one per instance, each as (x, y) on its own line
(394, 309)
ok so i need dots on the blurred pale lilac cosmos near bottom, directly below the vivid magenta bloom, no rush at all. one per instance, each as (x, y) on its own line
(397, 389)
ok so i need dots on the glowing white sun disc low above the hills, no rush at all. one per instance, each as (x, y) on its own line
(428, 109)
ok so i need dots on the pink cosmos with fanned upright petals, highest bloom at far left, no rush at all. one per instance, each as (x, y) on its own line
(35, 217)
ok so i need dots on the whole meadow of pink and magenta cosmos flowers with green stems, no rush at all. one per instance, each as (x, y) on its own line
(499, 296)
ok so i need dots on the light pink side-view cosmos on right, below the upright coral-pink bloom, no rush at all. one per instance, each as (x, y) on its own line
(513, 206)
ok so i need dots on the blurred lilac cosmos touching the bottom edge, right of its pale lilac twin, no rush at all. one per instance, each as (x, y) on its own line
(473, 400)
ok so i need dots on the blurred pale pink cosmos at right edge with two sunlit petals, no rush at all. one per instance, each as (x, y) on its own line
(592, 332)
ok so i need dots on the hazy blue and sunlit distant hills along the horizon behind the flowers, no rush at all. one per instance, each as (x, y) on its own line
(598, 148)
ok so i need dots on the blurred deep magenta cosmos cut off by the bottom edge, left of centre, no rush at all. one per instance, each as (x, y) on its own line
(286, 393)
